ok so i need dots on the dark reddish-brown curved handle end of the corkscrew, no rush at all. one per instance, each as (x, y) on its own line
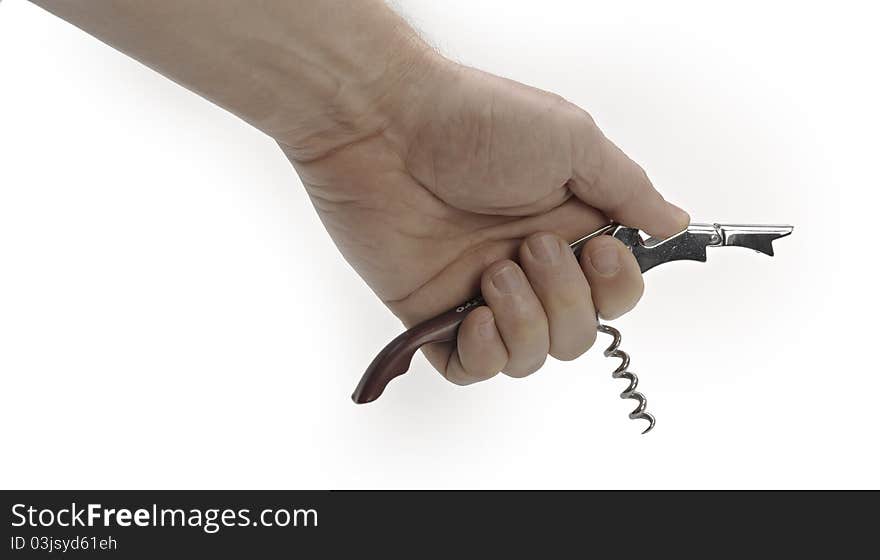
(395, 358)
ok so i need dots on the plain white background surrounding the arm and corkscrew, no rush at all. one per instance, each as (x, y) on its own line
(172, 313)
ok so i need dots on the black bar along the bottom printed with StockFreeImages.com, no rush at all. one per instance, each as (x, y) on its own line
(377, 523)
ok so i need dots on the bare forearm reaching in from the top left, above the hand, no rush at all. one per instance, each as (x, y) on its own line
(311, 74)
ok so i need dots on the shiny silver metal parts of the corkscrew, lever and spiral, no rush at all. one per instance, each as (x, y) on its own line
(690, 244)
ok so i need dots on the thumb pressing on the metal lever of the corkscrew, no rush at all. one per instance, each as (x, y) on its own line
(605, 178)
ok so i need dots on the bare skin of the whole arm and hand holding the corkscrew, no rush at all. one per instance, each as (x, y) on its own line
(435, 180)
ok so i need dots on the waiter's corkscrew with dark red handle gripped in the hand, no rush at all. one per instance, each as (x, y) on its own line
(689, 244)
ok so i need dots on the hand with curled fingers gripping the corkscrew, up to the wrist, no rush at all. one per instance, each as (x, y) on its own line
(471, 172)
